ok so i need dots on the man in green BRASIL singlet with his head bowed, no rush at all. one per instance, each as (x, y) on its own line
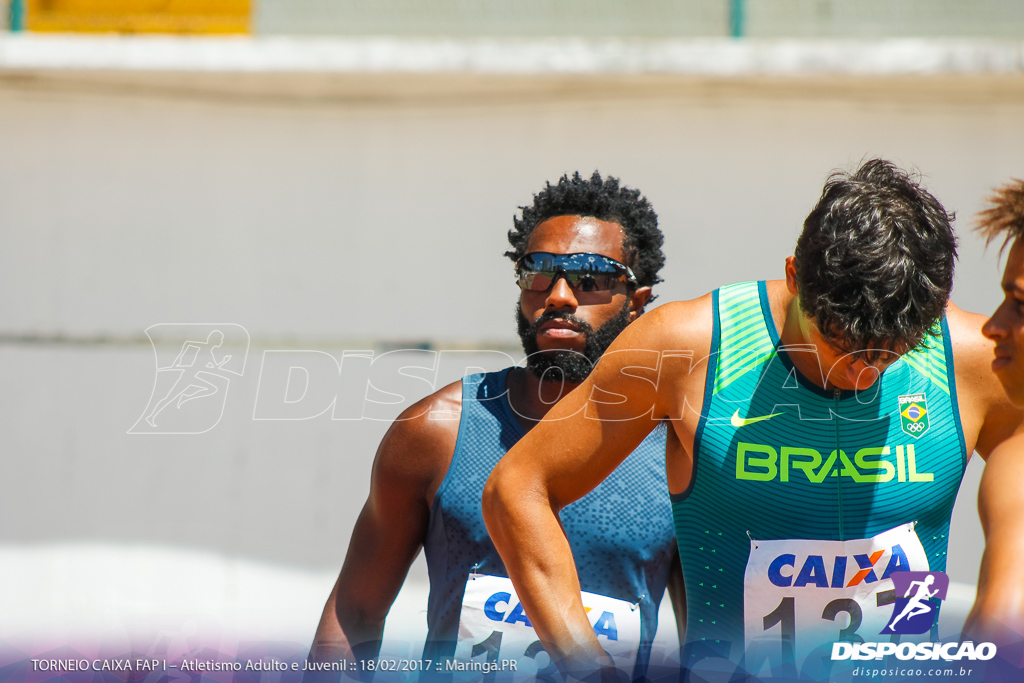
(801, 481)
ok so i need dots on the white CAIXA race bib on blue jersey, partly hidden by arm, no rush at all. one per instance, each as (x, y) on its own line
(496, 636)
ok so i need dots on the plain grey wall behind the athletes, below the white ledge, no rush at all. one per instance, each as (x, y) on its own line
(353, 223)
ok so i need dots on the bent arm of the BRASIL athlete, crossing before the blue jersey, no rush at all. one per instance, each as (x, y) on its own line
(573, 450)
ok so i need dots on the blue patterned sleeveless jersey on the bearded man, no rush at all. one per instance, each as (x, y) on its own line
(621, 534)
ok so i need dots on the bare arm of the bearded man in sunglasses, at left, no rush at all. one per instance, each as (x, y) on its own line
(408, 468)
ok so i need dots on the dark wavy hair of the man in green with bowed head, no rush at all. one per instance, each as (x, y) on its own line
(875, 262)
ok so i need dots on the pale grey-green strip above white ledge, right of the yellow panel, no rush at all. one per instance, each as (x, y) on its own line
(644, 19)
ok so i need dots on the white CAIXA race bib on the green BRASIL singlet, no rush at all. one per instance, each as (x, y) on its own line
(801, 596)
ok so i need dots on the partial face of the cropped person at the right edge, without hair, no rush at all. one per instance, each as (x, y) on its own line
(1006, 328)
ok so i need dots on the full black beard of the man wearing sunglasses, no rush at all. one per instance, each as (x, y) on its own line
(566, 365)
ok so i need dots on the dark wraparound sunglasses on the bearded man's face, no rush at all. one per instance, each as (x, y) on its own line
(585, 273)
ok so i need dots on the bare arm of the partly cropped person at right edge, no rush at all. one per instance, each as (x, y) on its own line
(999, 611)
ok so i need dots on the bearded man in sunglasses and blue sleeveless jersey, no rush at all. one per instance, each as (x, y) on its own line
(586, 254)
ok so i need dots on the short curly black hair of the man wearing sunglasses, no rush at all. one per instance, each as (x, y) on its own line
(605, 200)
